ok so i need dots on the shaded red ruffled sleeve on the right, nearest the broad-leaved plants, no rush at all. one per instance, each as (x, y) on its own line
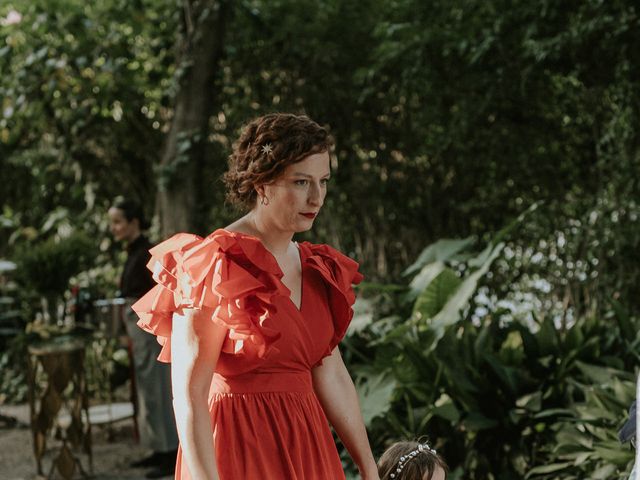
(339, 273)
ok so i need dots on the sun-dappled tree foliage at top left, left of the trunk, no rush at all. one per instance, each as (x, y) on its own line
(83, 97)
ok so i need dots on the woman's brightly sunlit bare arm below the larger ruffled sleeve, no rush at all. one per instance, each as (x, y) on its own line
(196, 343)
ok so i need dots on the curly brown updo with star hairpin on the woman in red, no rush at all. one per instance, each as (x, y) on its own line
(267, 145)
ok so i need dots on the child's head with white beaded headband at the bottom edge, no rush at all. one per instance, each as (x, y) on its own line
(411, 461)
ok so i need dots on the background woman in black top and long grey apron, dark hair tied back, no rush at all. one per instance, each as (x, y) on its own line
(153, 381)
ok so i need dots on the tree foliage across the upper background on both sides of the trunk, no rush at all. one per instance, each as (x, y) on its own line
(450, 119)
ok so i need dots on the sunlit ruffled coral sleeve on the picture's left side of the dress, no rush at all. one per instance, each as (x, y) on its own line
(227, 277)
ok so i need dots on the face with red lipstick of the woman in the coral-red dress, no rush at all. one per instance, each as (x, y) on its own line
(296, 197)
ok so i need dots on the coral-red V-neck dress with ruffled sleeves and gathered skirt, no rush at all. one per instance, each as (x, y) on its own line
(267, 421)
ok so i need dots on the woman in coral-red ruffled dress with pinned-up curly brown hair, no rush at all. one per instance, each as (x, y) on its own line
(250, 321)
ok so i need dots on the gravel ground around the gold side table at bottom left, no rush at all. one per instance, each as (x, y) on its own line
(111, 453)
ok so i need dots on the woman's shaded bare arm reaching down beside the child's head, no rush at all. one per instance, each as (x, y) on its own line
(339, 399)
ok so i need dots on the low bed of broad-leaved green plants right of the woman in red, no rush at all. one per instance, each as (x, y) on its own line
(500, 399)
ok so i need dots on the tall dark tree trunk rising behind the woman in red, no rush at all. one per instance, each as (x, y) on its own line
(200, 51)
